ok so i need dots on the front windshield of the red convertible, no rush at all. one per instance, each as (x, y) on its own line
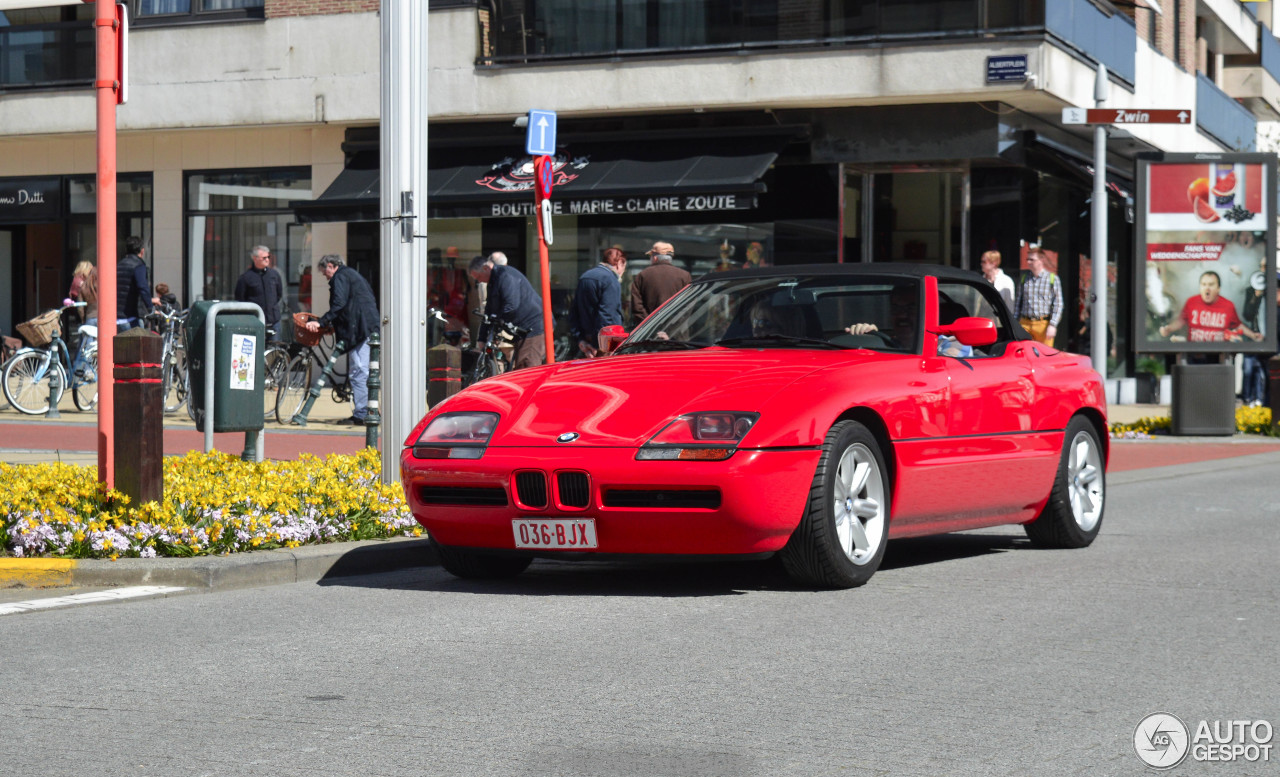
(779, 312)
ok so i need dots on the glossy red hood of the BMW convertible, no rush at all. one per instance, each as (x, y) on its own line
(623, 401)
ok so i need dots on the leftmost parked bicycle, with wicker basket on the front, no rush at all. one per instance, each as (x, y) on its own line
(44, 369)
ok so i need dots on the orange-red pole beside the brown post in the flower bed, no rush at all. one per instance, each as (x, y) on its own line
(104, 89)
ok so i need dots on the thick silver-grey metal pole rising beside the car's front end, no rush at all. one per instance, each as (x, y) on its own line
(404, 234)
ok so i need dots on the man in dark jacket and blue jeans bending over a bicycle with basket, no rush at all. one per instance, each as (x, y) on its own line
(354, 316)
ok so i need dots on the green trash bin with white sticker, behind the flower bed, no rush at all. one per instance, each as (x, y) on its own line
(240, 341)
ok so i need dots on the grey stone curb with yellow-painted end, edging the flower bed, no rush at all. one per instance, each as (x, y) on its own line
(254, 569)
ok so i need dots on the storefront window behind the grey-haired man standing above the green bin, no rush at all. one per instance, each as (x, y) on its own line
(228, 213)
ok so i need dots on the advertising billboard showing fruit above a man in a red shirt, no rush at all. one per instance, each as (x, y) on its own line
(1206, 254)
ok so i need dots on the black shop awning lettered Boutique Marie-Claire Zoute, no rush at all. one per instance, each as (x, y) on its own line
(592, 179)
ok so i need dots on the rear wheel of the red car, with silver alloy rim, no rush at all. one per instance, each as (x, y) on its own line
(1073, 515)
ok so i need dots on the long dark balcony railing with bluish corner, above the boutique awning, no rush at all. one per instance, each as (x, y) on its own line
(518, 31)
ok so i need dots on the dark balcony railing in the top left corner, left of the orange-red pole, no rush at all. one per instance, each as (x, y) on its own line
(58, 56)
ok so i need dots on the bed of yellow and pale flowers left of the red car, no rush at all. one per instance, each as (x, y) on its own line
(214, 504)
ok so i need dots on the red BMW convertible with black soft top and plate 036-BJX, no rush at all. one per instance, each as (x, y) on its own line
(810, 412)
